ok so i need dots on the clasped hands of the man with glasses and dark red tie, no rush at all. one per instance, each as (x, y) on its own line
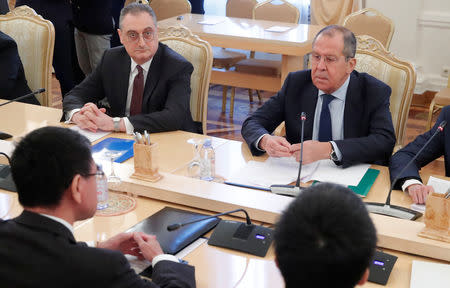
(92, 118)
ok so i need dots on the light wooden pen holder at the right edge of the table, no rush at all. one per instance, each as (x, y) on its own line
(437, 218)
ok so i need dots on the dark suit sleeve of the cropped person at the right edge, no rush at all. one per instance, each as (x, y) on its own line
(437, 147)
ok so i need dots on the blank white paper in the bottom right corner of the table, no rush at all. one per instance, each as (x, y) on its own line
(428, 274)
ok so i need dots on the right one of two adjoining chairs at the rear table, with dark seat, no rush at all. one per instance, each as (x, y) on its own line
(267, 10)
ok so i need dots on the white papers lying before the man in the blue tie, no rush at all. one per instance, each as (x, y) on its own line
(284, 170)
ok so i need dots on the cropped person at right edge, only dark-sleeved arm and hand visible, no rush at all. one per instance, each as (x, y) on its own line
(410, 180)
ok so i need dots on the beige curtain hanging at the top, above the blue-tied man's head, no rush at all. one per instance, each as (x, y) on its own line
(327, 12)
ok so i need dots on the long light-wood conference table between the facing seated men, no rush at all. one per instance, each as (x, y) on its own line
(218, 267)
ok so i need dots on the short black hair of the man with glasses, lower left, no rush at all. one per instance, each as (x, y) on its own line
(44, 163)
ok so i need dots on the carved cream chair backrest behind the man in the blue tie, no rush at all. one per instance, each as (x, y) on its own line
(374, 59)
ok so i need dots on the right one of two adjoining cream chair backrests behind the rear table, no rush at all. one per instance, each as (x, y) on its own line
(276, 10)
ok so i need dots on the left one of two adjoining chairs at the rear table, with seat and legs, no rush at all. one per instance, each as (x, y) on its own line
(226, 59)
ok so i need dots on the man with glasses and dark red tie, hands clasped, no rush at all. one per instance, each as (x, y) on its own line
(146, 83)
